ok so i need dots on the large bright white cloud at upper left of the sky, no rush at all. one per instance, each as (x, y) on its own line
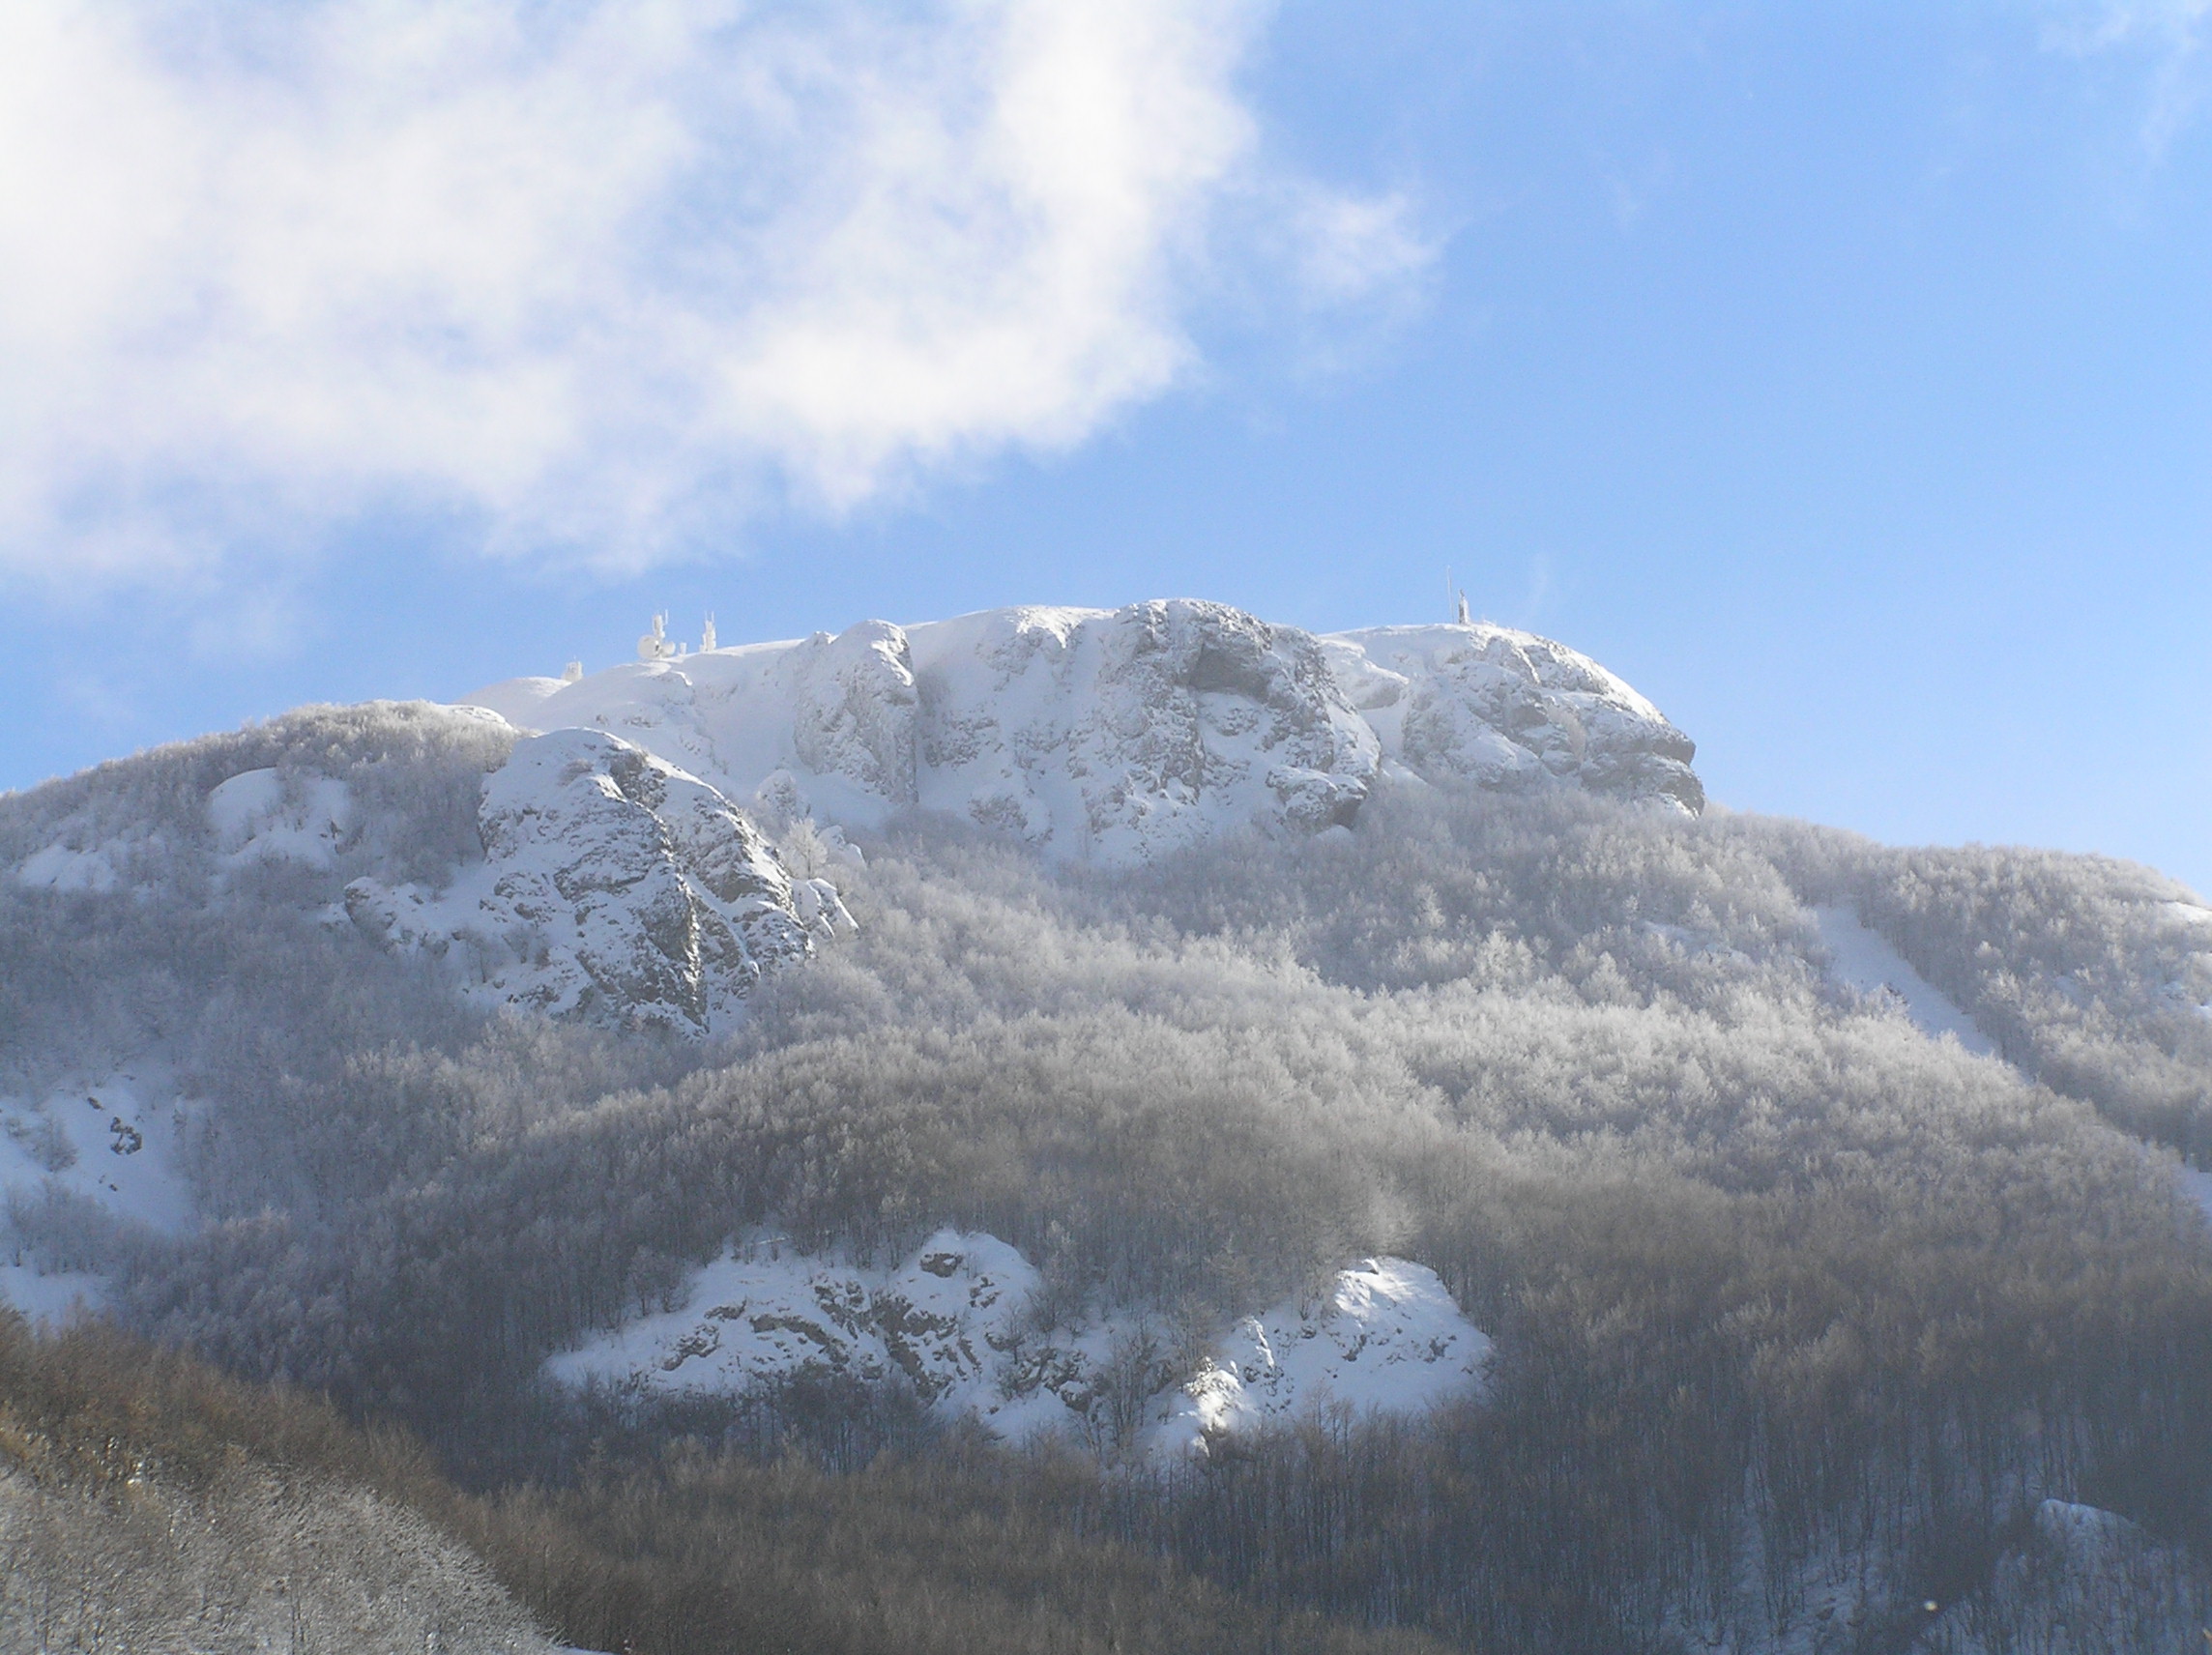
(594, 275)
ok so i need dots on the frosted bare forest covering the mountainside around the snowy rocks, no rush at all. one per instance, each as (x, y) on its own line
(1802, 1320)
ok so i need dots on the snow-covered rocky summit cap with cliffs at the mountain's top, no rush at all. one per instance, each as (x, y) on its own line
(1120, 736)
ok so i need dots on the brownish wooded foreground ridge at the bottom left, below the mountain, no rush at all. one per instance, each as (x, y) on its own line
(149, 1503)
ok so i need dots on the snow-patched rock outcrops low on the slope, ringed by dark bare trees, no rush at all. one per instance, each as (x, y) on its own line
(959, 1324)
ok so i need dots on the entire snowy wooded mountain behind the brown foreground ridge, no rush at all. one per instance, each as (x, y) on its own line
(1333, 1114)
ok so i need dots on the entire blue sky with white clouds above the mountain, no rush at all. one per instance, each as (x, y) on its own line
(1841, 375)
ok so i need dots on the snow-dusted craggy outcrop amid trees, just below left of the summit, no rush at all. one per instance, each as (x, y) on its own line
(614, 886)
